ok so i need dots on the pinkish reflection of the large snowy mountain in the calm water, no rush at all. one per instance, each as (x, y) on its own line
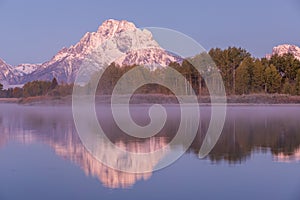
(62, 137)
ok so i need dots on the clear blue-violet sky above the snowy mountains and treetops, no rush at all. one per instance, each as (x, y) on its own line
(33, 31)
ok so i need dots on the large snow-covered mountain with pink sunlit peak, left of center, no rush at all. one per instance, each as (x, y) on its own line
(114, 41)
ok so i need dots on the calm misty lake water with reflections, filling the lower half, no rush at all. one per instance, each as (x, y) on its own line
(256, 157)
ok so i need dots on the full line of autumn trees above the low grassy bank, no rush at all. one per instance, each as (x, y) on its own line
(241, 74)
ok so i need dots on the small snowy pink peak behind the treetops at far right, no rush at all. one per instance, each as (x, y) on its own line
(284, 49)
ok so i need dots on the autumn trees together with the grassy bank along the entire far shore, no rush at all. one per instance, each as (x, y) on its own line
(247, 80)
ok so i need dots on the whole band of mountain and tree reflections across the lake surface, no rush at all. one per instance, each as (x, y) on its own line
(247, 130)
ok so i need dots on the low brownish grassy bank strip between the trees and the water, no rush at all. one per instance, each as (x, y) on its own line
(251, 99)
